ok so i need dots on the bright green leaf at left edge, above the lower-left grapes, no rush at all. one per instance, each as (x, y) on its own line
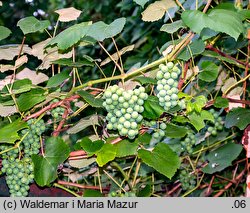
(8, 133)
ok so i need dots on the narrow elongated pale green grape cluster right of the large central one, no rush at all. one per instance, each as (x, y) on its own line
(167, 85)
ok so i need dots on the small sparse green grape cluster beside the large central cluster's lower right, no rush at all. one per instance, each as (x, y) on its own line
(157, 127)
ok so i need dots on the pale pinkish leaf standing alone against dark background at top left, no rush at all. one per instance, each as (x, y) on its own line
(68, 14)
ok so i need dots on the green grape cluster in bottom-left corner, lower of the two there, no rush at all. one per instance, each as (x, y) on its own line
(19, 174)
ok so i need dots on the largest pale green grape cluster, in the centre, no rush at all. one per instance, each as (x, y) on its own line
(124, 109)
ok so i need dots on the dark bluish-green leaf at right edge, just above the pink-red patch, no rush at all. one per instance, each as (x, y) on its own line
(239, 117)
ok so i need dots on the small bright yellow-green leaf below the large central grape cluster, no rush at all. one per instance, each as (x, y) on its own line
(106, 154)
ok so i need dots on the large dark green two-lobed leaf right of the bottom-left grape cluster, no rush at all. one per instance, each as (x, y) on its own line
(45, 167)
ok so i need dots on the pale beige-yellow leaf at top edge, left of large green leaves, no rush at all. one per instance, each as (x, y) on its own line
(156, 10)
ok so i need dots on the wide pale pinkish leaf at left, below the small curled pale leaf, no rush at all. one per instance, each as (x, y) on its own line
(35, 77)
